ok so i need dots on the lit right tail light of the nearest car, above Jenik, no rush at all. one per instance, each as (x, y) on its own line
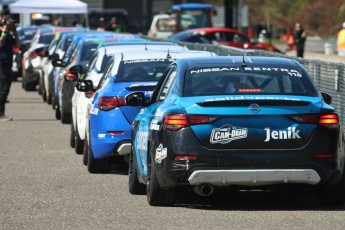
(327, 119)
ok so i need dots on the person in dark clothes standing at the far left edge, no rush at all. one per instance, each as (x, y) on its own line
(8, 40)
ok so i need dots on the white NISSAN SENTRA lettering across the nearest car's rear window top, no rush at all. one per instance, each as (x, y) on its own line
(291, 72)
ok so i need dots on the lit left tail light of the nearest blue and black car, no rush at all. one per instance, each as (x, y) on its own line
(175, 122)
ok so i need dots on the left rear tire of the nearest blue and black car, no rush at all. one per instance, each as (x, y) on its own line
(156, 196)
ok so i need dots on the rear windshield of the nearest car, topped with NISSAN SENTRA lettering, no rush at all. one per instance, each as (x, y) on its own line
(258, 80)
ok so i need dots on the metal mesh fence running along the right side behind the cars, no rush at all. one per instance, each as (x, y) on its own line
(329, 77)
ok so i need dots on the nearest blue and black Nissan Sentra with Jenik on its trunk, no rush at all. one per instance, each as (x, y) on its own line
(237, 122)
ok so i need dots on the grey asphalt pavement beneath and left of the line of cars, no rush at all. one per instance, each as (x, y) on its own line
(44, 185)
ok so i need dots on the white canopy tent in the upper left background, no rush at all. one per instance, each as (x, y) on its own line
(50, 7)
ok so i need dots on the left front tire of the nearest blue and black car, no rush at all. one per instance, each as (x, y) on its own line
(134, 186)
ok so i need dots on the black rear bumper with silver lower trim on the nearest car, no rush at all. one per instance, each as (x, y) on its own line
(245, 167)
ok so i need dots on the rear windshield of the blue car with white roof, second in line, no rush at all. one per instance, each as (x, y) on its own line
(142, 70)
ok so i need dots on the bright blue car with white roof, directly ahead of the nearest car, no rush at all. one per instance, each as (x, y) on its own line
(109, 123)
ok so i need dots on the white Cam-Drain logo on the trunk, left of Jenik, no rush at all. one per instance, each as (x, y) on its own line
(227, 133)
